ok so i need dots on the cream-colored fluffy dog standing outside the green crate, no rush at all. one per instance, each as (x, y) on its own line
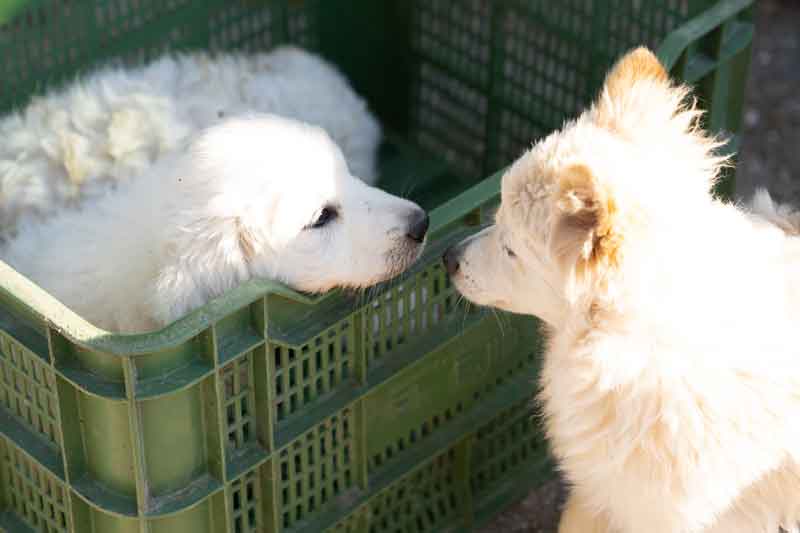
(671, 383)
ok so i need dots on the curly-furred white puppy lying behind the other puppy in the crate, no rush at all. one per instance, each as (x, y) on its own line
(77, 142)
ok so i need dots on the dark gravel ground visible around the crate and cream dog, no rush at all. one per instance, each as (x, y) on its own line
(769, 157)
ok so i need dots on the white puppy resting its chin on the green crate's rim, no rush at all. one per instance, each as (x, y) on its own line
(253, 197)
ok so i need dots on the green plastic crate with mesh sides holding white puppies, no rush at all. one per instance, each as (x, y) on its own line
(397, 409)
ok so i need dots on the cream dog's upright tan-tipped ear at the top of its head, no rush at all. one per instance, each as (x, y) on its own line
(637, 91)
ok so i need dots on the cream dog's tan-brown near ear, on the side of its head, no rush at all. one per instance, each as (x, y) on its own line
(585, 232)
